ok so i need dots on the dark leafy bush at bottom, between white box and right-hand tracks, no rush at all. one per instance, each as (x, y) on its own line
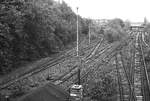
(105, 89)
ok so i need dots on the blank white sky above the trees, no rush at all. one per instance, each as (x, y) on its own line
(132, 10)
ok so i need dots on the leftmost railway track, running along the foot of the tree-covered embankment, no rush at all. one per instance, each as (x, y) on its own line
(42, 67)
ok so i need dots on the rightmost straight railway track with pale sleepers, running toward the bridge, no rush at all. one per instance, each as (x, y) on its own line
(139, 75)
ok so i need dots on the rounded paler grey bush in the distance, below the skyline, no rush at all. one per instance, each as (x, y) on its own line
(115, 30)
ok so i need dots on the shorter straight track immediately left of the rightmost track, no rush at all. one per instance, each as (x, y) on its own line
(124, 82)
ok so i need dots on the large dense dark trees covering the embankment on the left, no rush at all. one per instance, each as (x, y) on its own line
(31, 29)
